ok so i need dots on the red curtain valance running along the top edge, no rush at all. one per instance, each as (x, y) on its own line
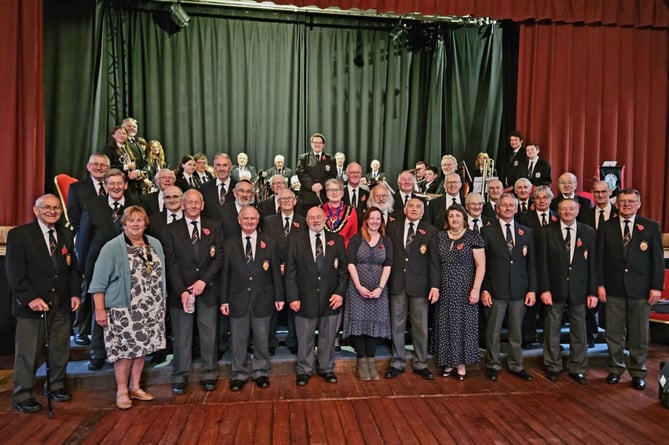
(653, 13)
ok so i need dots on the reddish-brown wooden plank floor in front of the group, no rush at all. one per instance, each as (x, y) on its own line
(406, 410)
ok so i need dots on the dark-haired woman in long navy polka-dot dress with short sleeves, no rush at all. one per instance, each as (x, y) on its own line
(458, 259)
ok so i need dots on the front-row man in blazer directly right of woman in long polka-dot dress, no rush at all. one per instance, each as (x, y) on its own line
(509, 285)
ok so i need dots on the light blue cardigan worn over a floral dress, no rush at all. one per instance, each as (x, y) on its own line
(111, 275)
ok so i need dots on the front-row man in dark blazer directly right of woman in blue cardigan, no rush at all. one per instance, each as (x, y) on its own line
(194, 258)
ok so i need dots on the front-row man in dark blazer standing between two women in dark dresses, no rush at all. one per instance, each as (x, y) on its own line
(410, 287)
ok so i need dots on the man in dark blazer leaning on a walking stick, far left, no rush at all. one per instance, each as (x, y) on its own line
(44, 278)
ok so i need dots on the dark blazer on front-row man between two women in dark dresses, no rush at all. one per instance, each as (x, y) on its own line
(410, 271)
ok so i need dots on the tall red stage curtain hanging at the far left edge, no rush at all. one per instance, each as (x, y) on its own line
(21, 109)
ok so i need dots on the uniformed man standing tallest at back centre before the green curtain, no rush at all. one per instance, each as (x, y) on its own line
(313, 169)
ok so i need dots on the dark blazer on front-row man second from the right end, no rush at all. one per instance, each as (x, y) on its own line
(568, 282)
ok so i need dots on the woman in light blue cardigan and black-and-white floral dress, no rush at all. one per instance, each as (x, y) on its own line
(128, 287)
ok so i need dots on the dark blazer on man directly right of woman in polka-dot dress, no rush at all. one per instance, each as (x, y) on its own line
(509, 275)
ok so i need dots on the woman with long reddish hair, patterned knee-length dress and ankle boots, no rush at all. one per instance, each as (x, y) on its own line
(367, 309)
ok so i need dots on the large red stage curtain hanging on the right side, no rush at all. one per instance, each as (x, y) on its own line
(588, 94)
